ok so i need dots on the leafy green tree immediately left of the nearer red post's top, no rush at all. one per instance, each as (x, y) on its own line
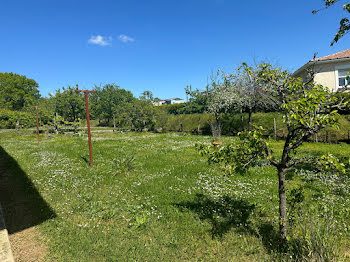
(69, 104)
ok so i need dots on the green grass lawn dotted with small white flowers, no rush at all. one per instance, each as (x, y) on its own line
(151, 197)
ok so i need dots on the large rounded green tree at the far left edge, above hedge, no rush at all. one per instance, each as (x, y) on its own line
(17, 91)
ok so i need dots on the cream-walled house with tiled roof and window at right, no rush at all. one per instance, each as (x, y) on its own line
(331, 71)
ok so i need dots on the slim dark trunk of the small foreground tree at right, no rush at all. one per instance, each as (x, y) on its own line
(282, 204)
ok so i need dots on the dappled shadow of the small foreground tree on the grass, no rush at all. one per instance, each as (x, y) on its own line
(226, 213)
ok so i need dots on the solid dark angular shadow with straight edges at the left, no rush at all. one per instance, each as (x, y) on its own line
(22, 205)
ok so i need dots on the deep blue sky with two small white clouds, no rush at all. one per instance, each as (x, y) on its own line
(157, 45)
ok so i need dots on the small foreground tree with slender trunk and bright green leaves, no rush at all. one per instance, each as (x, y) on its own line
(307, 108)
